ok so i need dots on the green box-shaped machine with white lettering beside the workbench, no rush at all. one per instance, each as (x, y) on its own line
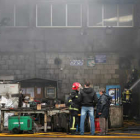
(18, 124)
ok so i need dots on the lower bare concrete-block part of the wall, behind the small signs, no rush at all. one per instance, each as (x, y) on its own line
(42, 65)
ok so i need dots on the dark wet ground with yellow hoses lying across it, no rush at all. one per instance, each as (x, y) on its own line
(130, 130)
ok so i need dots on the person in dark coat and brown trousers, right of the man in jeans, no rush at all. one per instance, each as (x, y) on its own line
(103, 111)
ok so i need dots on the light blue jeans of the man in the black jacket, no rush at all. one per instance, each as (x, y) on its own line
(84, 111)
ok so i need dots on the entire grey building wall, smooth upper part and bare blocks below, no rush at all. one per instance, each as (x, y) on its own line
(30, 52)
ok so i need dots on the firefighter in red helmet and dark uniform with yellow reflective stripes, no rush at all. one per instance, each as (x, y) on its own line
(74, 105)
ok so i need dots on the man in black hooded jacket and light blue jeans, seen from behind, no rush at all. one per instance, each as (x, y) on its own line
(88, 100)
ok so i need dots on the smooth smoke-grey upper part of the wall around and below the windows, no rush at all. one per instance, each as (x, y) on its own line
(84, 39)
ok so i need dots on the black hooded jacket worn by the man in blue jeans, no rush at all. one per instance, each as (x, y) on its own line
(88, 97)
